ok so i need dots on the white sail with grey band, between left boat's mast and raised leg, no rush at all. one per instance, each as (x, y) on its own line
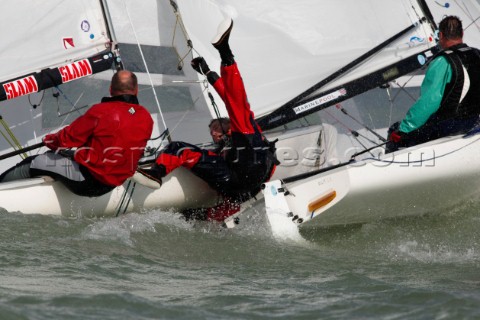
(153, 45)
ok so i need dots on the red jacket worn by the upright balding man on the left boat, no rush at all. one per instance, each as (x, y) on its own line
(110, 138)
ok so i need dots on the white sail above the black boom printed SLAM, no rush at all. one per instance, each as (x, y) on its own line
(64, 31)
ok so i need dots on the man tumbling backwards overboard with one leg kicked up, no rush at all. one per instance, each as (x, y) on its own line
(244, 159)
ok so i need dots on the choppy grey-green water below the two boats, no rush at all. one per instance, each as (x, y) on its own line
(156, 266)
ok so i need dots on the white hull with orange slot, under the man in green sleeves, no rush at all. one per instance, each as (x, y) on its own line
(413, 181)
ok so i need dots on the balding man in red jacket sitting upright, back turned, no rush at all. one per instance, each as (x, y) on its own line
(110, 139)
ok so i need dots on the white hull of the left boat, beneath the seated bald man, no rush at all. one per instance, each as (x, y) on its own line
(179, 190)
